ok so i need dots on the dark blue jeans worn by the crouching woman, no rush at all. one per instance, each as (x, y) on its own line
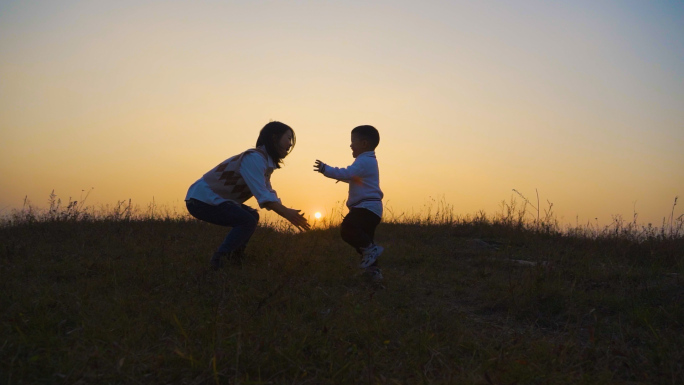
(243, 219)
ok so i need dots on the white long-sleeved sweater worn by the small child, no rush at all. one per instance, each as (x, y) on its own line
(363, 177)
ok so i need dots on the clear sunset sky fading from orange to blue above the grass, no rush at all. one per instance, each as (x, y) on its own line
(580, 100)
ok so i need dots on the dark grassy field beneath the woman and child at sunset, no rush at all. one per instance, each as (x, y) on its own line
(120, 298)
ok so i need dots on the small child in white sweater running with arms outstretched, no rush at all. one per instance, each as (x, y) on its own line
(365, 197)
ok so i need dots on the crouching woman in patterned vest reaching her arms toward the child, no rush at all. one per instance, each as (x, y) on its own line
(218, 196)
